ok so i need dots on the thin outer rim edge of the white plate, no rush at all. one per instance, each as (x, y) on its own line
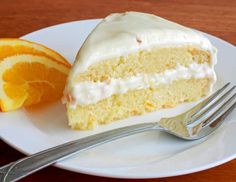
(131, 176)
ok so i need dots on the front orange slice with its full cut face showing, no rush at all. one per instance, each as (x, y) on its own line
(28, 79)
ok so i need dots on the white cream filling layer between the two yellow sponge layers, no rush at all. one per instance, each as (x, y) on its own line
(88, 92)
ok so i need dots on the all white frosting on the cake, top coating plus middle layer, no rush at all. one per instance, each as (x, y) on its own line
(123, 33)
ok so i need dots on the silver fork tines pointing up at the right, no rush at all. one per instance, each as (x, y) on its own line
(218, 105)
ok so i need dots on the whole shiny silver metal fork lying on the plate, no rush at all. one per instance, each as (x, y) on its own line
(198, 122)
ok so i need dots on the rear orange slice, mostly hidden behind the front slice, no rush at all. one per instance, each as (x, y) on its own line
(14, 46)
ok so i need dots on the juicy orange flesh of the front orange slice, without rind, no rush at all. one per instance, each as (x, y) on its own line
(33, 83)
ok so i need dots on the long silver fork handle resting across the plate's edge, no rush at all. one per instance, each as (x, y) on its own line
(28, 165)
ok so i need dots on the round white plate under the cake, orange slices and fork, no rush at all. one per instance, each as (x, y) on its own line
(146, 155)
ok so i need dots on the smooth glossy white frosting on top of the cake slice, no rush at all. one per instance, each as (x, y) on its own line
(123, 33)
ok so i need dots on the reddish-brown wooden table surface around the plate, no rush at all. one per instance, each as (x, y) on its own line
(216, 17)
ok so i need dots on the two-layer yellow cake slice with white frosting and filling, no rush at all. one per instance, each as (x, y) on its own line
(134, 63)
